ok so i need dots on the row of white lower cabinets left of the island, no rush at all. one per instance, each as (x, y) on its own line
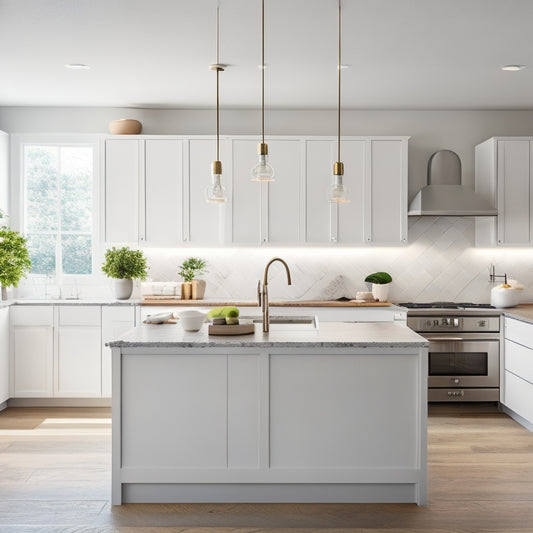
(58, 351)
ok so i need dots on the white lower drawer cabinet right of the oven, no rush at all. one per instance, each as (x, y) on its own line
(518, 386)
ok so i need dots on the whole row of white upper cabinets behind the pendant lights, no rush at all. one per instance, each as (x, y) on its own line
(155, 192)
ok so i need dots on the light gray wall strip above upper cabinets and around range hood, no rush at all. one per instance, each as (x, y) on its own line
(430, 131)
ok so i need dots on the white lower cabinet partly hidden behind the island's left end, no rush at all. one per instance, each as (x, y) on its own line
(115, 322)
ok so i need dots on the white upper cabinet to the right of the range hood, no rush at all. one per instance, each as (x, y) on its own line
(504, 176)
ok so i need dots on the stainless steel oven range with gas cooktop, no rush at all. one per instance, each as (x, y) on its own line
(464, 356)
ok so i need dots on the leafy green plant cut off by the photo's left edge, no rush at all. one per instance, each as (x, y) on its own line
(15, 260)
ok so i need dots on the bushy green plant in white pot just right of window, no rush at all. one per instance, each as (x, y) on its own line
(124, 265)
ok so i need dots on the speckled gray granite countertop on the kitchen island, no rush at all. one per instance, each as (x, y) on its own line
(329, 335)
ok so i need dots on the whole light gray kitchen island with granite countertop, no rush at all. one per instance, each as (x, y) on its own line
(330, 415)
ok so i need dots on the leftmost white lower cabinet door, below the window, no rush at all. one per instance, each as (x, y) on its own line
(32, 351)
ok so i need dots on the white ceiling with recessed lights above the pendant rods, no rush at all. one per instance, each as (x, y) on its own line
(404, 54)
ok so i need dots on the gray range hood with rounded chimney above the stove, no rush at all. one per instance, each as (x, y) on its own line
(444, 195)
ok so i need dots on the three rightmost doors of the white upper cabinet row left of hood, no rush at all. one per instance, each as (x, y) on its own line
(375, 172)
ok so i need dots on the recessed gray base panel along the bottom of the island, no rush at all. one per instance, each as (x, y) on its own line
(270, 493)
